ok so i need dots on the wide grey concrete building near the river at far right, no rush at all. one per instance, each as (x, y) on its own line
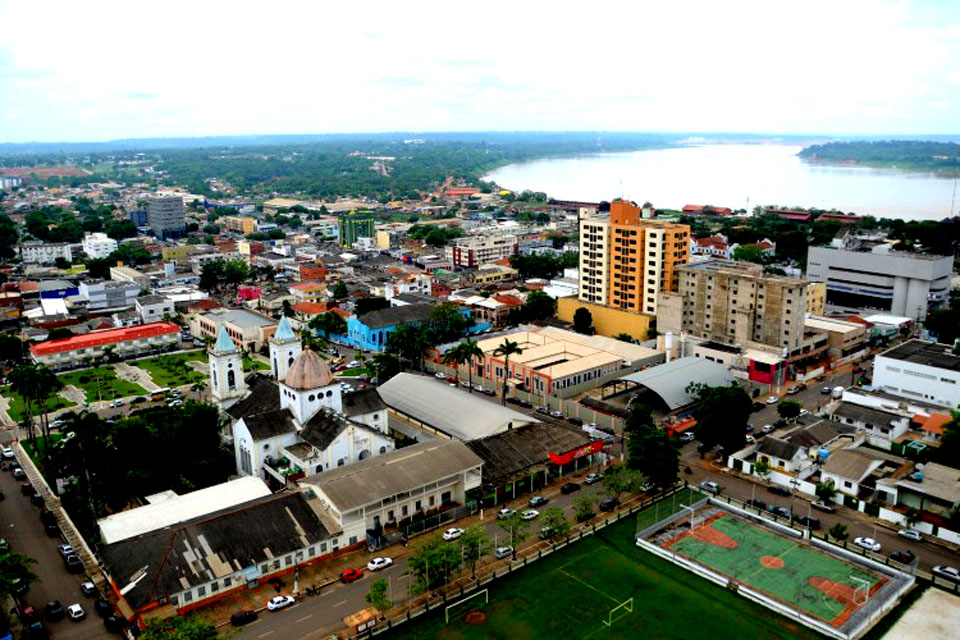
(861, 275)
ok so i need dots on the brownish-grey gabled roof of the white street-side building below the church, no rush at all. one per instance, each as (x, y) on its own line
(386, 475)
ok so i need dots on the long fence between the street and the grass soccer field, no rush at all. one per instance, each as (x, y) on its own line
(458, 588)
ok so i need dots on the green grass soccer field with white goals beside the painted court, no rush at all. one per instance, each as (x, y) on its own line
(571, 592)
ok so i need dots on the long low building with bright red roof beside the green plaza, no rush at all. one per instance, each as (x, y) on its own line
(129, 341)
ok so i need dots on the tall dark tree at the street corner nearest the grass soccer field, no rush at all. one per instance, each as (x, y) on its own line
(650, 450)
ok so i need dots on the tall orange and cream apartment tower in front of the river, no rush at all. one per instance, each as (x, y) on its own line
(628, 258)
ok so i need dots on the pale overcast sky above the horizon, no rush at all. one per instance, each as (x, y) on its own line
(99, 70)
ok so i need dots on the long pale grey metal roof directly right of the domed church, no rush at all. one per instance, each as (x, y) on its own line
(454, 412)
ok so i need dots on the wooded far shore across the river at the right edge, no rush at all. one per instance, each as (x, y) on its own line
(900, 154)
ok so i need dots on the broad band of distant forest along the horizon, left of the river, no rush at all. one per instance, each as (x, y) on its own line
(322, 166)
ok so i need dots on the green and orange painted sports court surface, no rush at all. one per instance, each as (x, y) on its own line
(802, 576)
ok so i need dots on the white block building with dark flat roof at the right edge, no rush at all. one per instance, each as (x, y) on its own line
(920, 370)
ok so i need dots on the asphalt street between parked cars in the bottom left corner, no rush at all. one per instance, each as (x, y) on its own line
(20, 525)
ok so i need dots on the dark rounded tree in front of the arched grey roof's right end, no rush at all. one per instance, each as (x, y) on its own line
(721, 414)
